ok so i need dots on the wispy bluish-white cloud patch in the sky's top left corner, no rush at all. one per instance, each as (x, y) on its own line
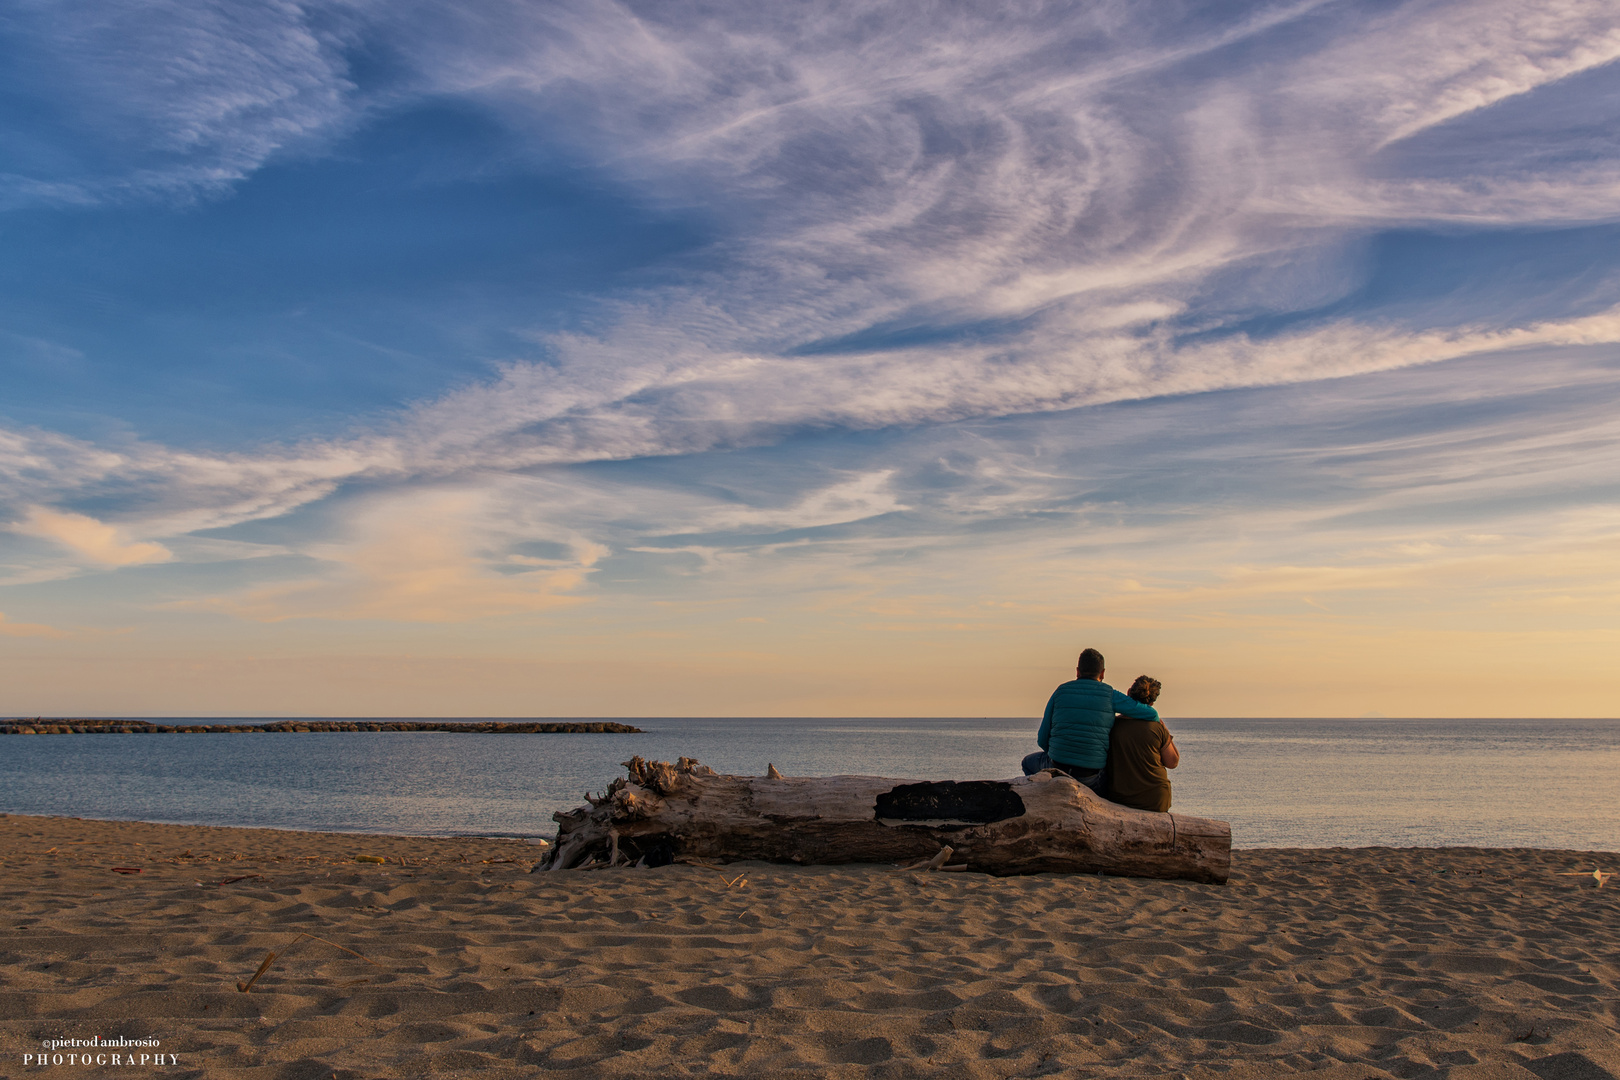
(179, 96)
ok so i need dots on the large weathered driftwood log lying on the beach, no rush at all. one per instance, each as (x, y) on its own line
(1044, 823)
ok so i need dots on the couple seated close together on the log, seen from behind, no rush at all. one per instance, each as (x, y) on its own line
(1111, 742)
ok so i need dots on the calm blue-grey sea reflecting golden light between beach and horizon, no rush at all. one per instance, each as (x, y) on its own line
(1279, 783)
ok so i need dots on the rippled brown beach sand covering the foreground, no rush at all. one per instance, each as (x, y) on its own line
(1355, 964)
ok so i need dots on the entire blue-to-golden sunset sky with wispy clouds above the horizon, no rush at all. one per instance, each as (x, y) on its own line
(589, 359)
